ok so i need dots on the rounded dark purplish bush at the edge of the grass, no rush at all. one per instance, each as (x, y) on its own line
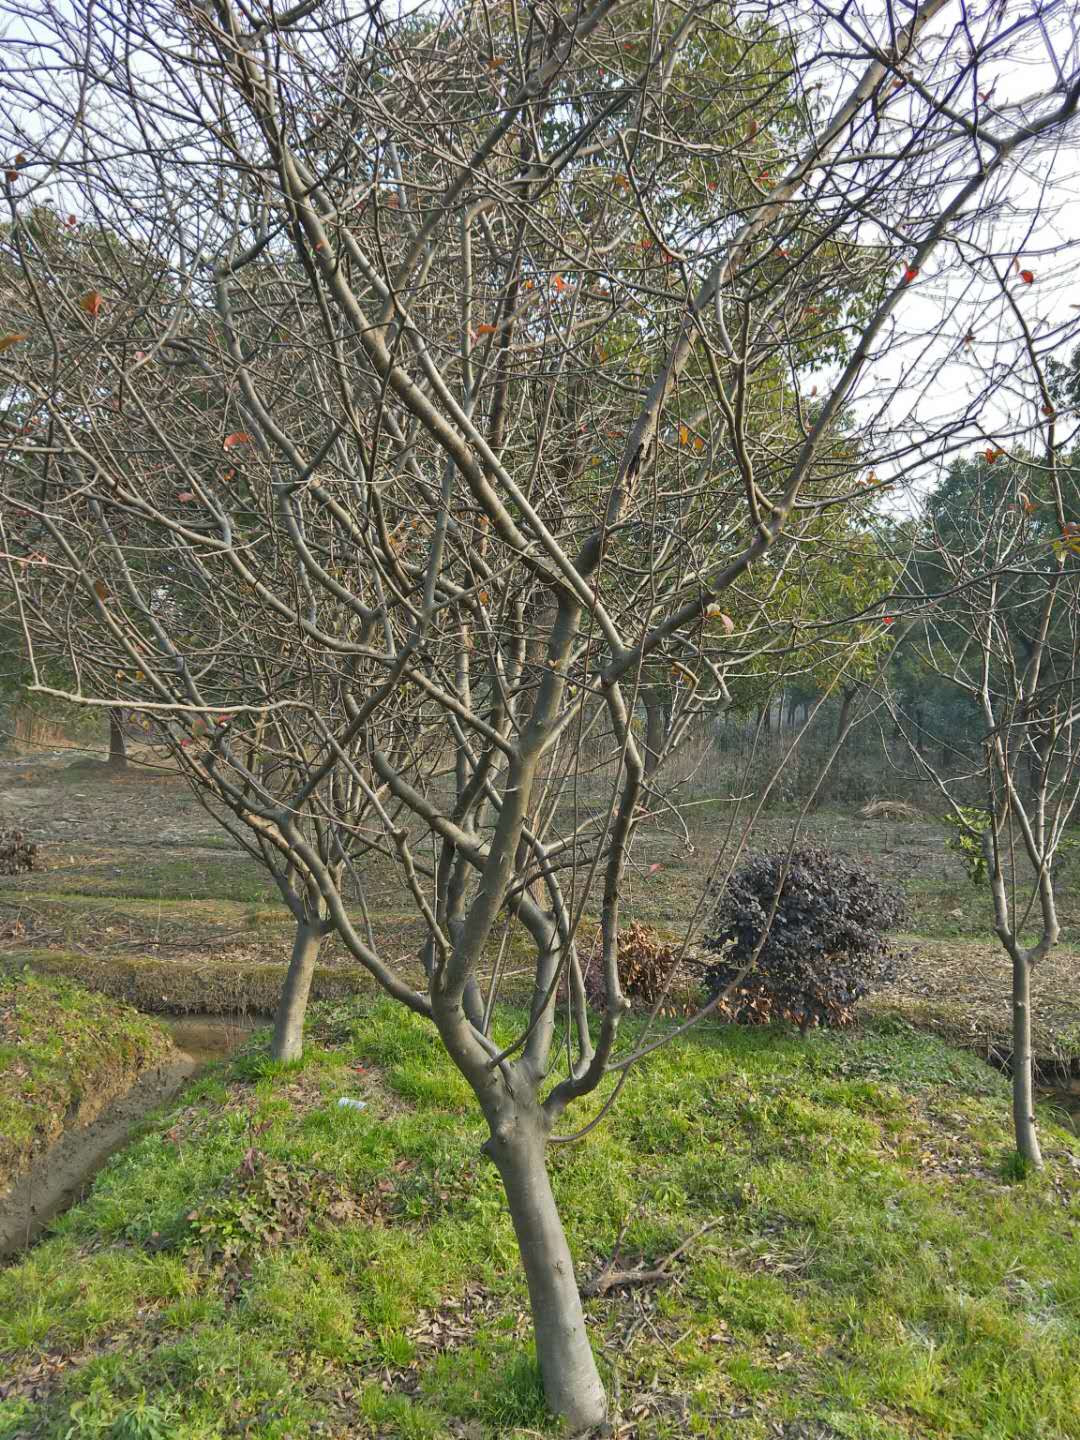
(823, 950)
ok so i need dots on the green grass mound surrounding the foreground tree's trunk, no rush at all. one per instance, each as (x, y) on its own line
(267, 1265)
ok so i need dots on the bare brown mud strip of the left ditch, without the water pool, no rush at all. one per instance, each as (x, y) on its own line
(60, 1177)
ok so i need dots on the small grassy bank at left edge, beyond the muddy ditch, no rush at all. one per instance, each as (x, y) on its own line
(64, 1055)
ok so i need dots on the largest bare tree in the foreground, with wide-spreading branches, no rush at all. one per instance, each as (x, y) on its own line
(460, 388)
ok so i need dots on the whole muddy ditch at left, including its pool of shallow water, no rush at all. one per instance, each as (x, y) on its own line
(63, 1176)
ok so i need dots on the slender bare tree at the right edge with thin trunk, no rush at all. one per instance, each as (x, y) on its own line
(997, 574)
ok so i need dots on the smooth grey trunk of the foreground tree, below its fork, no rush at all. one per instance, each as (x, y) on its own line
(572, 1383)
